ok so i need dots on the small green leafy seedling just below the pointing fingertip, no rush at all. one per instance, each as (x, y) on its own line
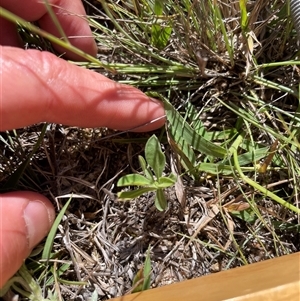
(153, 179)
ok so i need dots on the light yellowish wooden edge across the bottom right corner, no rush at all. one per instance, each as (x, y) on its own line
(274, 279)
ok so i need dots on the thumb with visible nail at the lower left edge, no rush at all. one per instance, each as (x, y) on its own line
(26, 218)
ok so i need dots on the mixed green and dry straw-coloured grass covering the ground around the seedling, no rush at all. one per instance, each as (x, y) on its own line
(228, 74)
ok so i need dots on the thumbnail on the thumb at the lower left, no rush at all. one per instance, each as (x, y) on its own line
(39, 219)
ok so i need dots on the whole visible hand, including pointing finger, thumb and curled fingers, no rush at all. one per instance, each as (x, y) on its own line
(37, 86)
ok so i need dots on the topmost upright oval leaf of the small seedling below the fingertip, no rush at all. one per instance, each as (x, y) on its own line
(154, 156)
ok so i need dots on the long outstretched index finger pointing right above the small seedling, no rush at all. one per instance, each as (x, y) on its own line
(38, 86)
